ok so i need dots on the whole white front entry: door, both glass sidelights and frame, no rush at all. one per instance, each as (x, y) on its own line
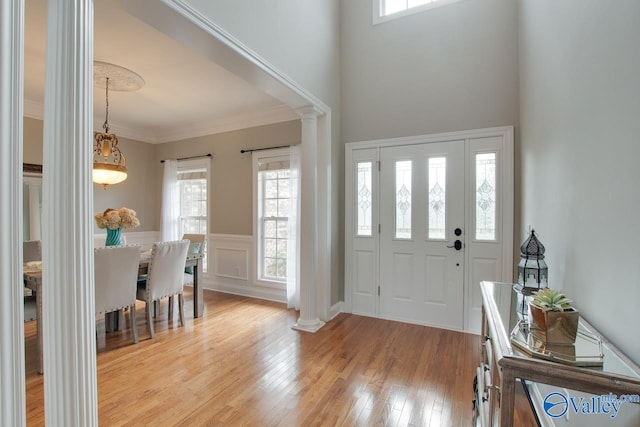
(405, 201)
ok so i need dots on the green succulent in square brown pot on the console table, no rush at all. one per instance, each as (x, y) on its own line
(552, 318)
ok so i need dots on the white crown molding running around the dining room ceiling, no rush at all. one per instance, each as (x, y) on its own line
(228, 123)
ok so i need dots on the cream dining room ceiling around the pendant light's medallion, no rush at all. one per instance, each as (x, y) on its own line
(185, 95)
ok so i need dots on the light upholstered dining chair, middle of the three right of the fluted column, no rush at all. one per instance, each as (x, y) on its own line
(164, 278)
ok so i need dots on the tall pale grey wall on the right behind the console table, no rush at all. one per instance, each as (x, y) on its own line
(580, 117)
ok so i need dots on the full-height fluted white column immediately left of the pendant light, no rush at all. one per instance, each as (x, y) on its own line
(68, 321)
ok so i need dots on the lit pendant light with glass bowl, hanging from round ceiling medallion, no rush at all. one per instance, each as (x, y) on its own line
(109, 162)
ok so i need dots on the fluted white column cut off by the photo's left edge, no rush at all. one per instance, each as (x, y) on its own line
(12, 380)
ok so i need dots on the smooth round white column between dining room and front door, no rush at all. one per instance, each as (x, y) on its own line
(308, 320)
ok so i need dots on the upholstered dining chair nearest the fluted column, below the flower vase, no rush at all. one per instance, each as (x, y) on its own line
(116, 275)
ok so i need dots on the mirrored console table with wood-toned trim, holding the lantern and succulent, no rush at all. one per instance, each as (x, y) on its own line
(502, 362)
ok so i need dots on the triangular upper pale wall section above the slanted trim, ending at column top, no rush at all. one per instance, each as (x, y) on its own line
(300, 38)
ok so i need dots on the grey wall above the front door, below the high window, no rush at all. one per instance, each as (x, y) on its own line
(450, 68)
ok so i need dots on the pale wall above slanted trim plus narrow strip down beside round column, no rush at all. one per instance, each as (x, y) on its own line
(301, 40)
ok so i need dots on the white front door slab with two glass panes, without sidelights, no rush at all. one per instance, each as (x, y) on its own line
(422, 216)
